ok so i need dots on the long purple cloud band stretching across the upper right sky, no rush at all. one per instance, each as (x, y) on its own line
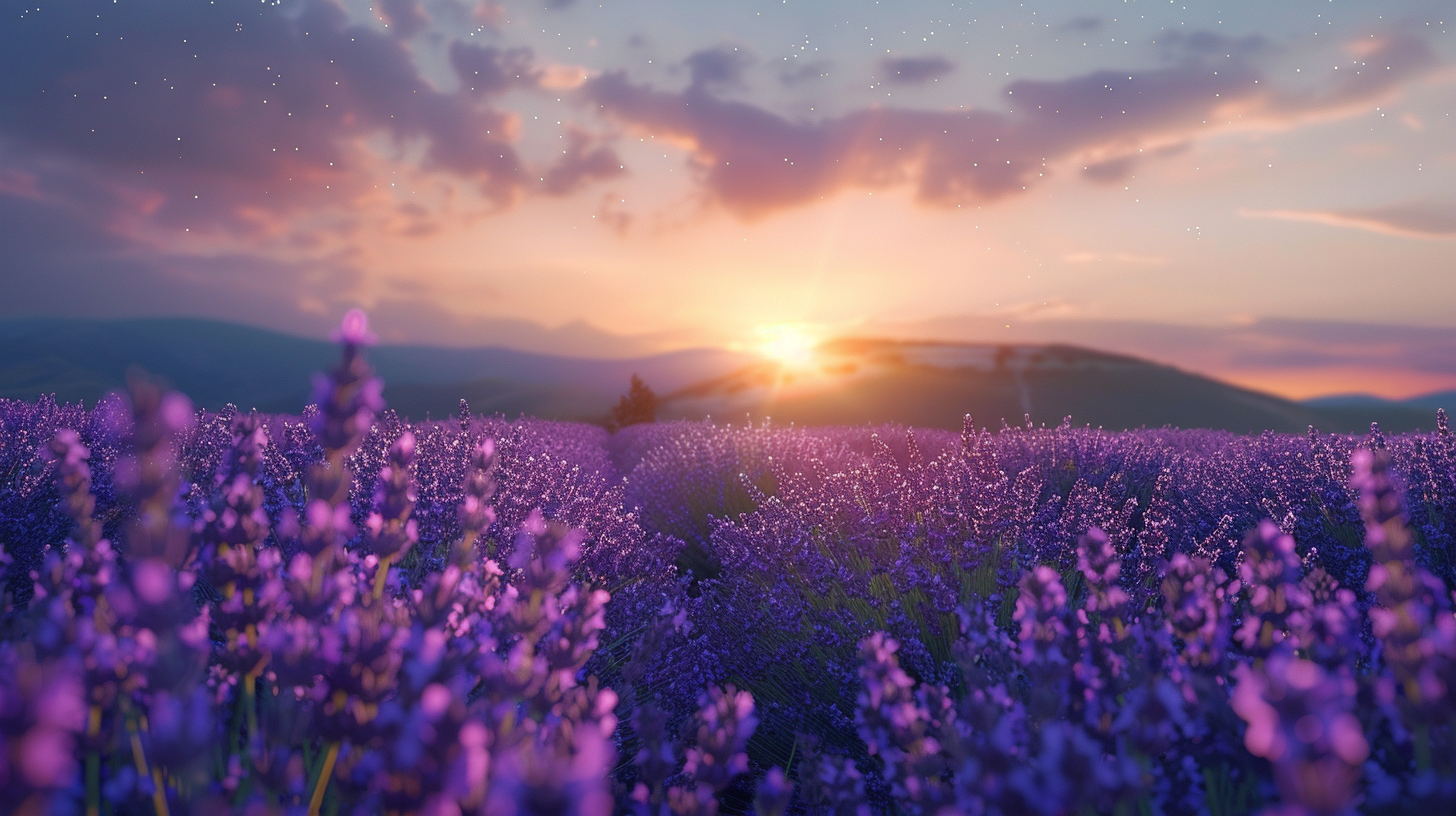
(753, 161)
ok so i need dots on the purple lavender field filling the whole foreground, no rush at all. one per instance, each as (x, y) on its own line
(346, 613)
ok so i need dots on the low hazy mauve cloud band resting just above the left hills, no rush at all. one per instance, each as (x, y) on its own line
(101, 275)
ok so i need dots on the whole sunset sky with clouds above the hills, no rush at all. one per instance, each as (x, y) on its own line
(1259, 190)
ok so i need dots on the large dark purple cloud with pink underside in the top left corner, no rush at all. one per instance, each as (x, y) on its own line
(225, 116)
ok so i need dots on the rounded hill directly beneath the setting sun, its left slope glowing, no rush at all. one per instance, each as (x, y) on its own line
(930, 384)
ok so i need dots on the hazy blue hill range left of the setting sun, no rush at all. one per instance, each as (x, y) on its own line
(218, 364)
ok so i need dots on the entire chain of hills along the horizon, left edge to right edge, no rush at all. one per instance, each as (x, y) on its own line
(854, 381)
